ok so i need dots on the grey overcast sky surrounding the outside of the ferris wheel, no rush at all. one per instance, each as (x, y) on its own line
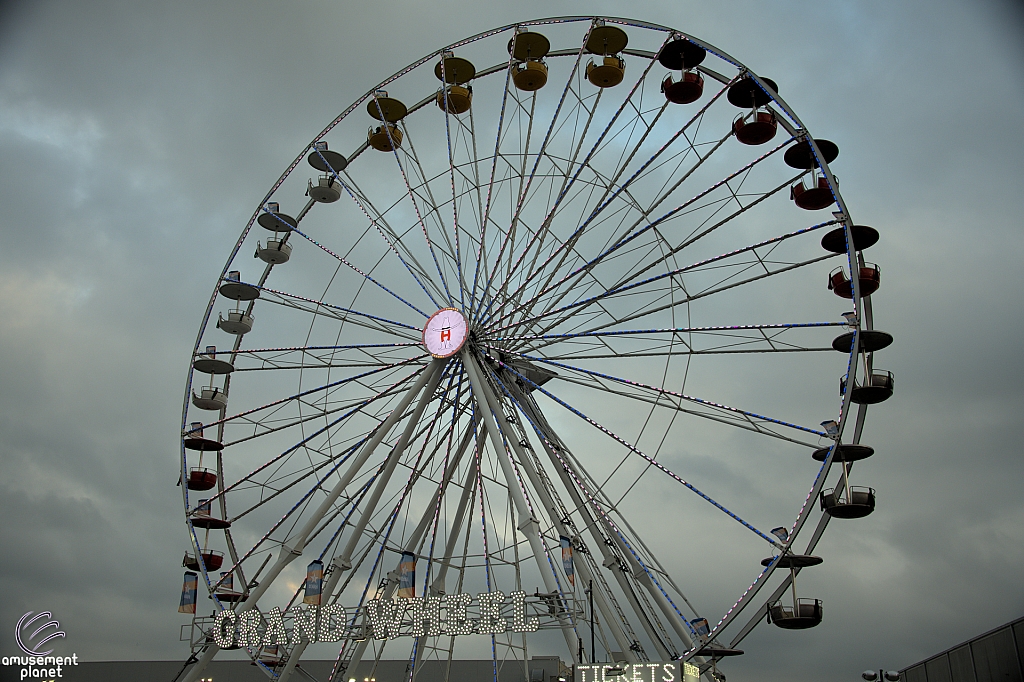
(138, 139)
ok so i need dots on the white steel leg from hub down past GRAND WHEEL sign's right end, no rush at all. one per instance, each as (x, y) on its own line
(528, 525)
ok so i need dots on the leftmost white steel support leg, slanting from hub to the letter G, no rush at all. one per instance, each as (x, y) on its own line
(293, 549)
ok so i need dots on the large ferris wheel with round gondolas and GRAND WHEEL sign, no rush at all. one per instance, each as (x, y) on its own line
(534, 349)
